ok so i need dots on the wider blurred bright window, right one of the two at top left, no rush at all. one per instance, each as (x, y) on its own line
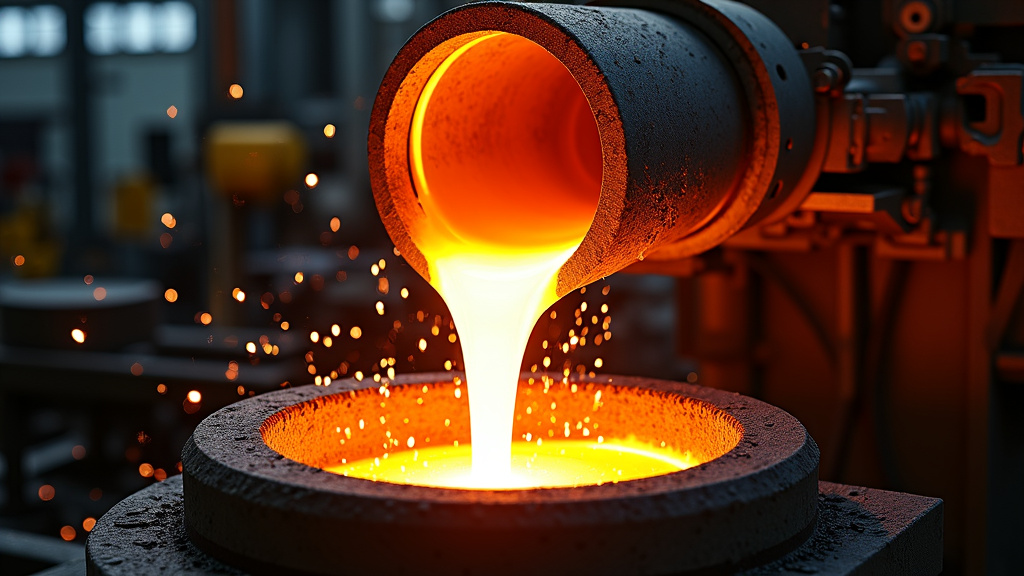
(140, 28)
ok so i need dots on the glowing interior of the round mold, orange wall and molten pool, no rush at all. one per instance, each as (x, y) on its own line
(567, 435)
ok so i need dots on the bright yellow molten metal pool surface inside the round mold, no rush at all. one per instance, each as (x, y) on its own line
(549, 465)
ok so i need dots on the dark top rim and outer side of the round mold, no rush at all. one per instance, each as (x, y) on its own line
(249, 506)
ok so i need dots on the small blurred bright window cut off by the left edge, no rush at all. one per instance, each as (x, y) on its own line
(35, 31)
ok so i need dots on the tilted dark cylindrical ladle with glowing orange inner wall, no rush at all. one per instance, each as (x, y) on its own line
(675, 129)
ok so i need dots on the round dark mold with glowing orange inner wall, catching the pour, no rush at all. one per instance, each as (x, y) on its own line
(255, 496)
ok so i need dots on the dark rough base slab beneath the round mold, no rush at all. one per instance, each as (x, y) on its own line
(860, 531)
